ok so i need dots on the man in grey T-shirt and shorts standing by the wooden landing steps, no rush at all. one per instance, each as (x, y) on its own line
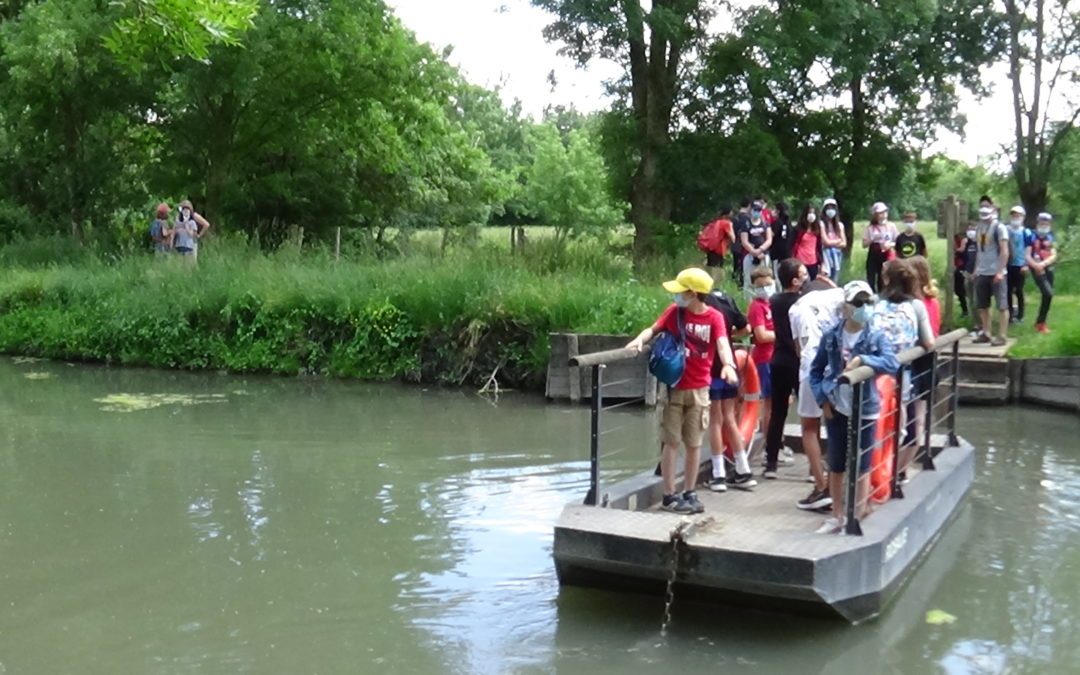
(991, 263)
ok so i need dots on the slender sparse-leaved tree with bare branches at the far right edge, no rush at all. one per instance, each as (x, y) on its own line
(1044, 45)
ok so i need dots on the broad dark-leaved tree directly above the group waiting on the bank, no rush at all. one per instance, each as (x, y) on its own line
(847, 89)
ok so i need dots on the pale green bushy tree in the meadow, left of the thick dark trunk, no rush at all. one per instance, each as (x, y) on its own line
(568, 185)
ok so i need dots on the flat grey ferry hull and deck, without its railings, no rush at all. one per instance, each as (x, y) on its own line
(755, 547)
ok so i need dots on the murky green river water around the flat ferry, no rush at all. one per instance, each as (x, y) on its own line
(172, 522)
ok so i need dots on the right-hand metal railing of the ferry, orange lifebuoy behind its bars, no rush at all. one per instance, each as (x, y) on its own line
(909, 423)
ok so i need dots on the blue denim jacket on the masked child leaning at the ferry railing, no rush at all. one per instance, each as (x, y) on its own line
(873, 350)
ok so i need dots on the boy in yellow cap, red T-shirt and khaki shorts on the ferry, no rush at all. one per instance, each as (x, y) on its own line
(685, 416)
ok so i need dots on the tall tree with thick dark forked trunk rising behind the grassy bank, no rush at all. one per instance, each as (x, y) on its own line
(651, 45)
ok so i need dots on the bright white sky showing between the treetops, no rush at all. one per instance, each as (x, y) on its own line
(499, 43)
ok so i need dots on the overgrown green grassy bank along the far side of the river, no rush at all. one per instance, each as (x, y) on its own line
(455, 318)
